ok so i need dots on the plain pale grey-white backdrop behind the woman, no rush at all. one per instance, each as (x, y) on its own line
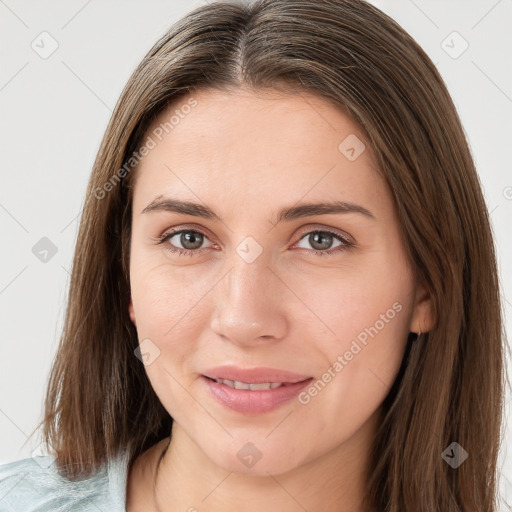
(62, 67)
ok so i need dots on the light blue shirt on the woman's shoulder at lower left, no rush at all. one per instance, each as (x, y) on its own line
(34, 485)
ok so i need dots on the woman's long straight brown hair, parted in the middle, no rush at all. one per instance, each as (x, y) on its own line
(451, 384)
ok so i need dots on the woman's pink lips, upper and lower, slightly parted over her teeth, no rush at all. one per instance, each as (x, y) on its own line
(254, 401)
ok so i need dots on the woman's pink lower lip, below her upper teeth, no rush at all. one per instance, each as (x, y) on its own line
(254, 402)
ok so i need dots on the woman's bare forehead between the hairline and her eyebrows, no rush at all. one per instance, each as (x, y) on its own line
(246, 148)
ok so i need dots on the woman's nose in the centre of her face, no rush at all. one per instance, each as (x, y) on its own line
(250, 304)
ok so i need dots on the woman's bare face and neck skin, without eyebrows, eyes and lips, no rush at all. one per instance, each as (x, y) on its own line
(246, 155)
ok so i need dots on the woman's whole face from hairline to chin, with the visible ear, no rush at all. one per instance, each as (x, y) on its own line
(266, 283)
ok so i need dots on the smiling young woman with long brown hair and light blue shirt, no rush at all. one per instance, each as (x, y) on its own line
(284, 294)
